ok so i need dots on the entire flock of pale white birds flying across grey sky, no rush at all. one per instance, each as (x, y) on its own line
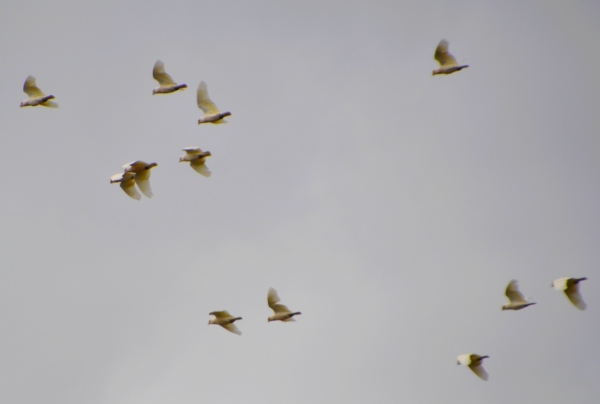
(138, 173)
